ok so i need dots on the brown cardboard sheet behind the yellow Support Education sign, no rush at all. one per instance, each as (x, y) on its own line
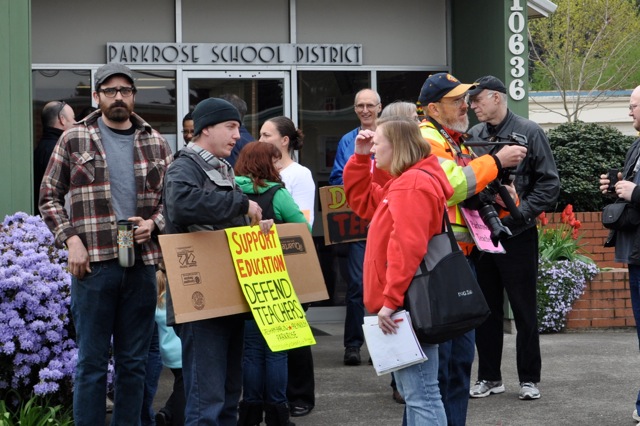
(202, 279)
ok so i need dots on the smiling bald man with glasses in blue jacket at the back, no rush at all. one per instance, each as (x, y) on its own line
(367, 107)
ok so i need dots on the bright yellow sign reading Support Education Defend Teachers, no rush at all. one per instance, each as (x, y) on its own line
(262, 273)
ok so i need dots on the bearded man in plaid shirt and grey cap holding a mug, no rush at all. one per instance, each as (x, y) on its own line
(112, 164)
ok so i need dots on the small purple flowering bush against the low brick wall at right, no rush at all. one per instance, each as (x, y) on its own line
(560, 283)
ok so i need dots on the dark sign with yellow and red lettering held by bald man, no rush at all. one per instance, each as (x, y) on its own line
(340, 223)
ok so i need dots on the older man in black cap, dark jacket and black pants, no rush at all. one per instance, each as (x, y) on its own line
(537, 185)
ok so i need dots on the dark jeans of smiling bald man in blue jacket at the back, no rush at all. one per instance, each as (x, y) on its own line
(353, 334)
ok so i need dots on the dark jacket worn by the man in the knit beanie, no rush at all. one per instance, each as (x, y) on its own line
(197, 197)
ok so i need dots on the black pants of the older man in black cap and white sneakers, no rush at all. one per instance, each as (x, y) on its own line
(516, 271)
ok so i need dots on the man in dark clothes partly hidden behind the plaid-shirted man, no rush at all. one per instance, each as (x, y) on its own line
(57, 116)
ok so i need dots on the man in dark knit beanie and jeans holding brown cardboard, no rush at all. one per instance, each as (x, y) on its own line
(200, 194)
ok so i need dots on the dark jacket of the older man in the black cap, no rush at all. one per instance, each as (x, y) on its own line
(537, 181)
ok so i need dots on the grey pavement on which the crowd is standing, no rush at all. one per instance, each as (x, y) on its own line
(588, 378)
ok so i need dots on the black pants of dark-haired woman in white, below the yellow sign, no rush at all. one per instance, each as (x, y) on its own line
(301, 386)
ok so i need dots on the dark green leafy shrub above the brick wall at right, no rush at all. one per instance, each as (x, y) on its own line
(583, 151)
